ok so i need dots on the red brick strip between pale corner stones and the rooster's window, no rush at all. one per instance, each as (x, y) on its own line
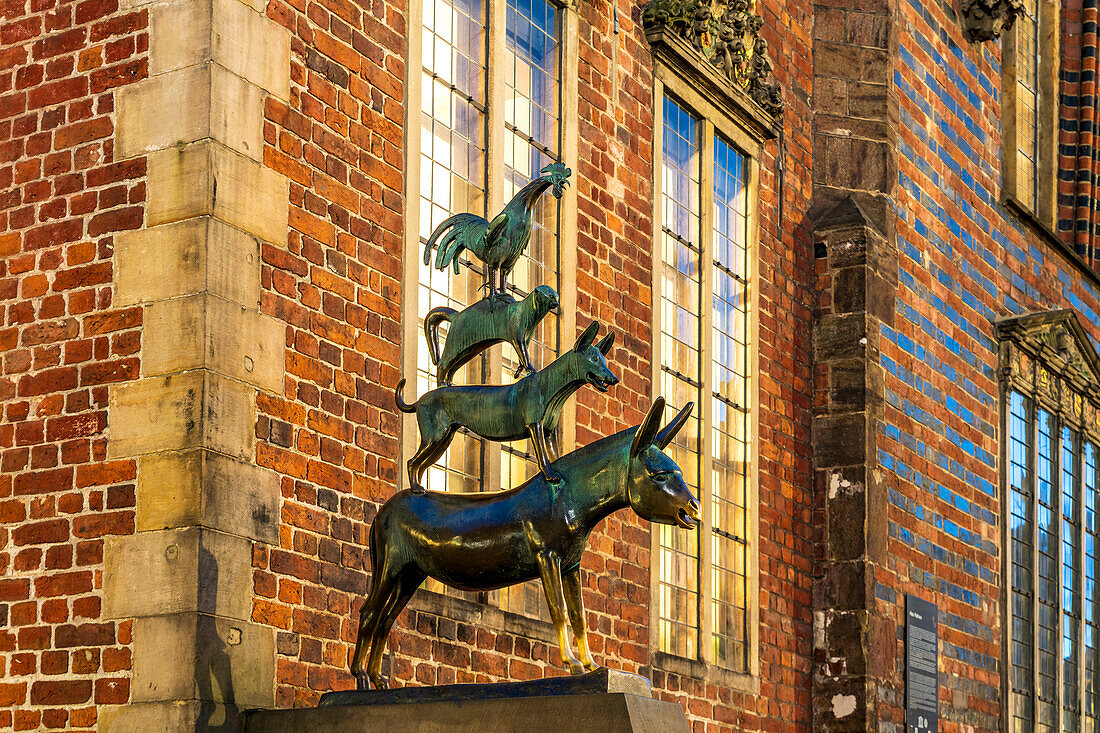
(333, 435)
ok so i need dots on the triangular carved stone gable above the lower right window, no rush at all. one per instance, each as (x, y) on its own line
(1047, 353)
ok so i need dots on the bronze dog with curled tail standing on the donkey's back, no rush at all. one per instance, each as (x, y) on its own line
(531, 408)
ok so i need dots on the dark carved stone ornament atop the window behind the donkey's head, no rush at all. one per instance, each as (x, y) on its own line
(728, 35)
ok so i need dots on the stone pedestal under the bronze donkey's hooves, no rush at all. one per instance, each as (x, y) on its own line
(604, 702)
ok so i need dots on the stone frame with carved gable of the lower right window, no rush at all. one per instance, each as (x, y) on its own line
(1049, 359)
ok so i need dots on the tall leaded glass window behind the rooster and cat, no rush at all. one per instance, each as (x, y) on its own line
(471, 125)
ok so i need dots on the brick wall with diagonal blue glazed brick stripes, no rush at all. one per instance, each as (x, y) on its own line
(965, 261)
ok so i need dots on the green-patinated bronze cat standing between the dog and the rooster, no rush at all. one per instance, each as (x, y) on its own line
(485, 324)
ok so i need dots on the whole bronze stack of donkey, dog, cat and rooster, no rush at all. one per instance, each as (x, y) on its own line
(538, 530)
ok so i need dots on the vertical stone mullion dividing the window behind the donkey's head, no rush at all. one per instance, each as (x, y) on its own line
(707, 349)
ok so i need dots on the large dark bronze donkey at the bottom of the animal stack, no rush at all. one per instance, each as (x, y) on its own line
(485, 542)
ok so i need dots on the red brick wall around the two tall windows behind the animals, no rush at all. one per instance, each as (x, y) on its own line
(333, 434)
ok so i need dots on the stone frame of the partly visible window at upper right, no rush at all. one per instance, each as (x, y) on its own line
(1044, 211)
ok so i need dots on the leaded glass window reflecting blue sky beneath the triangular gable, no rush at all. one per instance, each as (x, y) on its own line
(1053, 529)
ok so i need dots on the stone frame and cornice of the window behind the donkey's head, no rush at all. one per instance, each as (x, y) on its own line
(723, 110)
